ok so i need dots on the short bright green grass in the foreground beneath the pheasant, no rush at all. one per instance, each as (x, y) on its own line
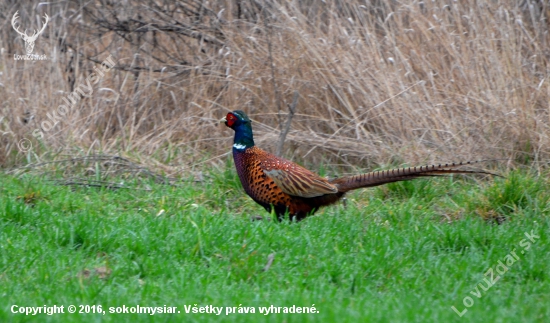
(404, 252)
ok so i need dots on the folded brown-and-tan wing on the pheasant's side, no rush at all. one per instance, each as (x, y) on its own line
(295, 180)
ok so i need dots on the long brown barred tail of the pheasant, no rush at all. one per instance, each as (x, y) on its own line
(348, 183)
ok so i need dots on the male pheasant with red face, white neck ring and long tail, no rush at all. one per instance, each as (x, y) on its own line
(282, 186)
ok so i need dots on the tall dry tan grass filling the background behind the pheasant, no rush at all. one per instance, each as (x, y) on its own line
(383, 83)
